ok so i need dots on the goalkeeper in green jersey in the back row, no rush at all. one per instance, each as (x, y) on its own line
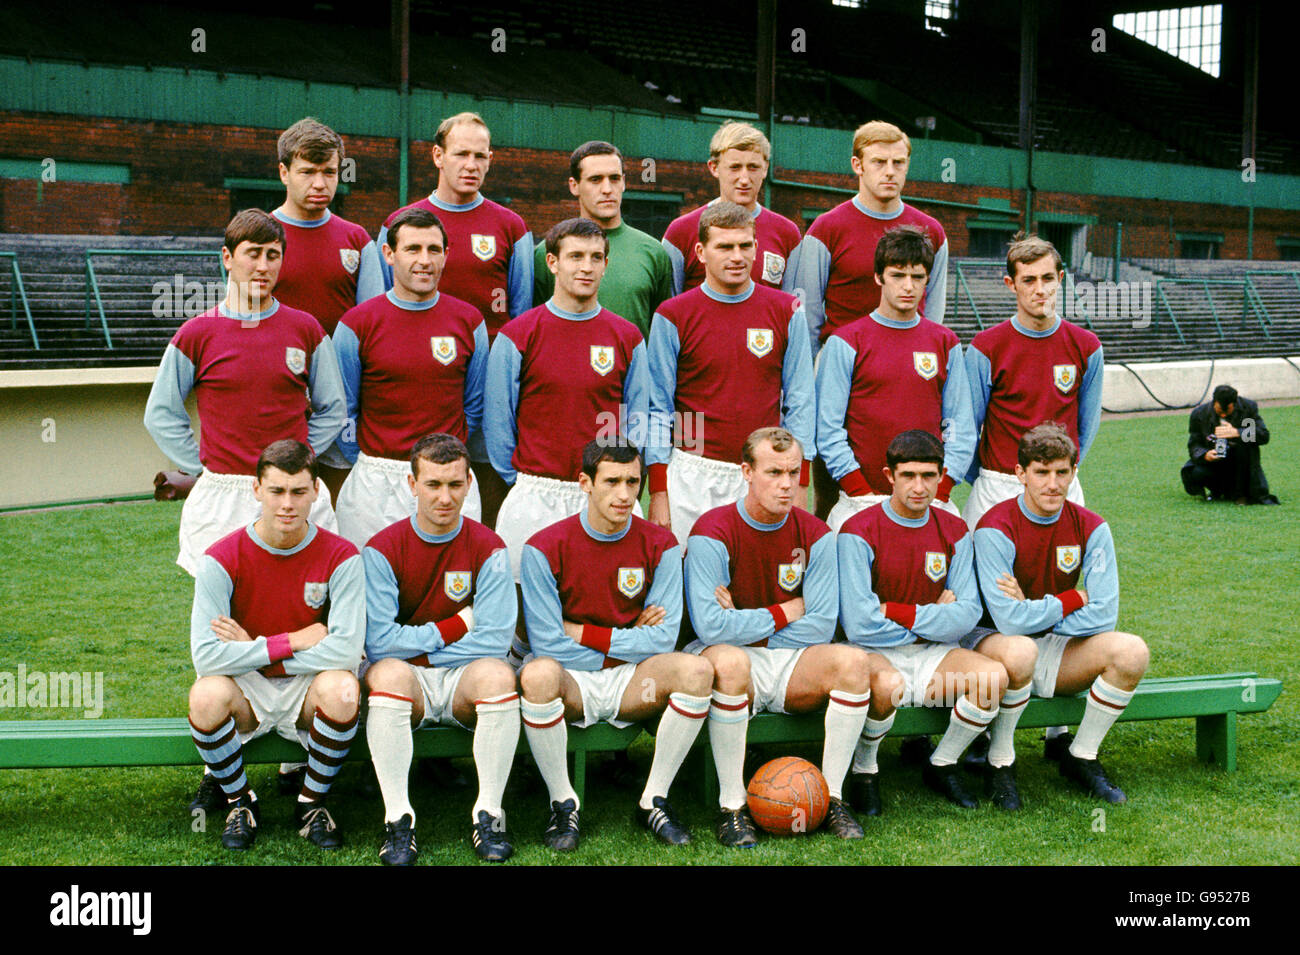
(639, 275)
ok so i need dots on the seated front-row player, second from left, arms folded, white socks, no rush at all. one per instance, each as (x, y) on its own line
(440, 618)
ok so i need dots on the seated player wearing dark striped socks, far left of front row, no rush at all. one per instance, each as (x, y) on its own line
(276, 633)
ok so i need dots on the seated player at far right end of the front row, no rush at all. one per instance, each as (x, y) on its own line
(1047, 568)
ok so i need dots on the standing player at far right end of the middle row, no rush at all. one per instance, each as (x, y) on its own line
(1030, 370)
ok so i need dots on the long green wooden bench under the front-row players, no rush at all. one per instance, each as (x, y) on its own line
(1212, 701)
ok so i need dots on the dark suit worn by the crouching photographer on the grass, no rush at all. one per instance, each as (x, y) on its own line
(1237, 476)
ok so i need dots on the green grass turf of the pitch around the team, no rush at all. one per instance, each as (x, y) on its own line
(1211, 588)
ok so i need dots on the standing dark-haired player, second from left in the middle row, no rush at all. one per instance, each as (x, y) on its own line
(414, 362)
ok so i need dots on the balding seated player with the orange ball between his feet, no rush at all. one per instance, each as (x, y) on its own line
(762, 591)
